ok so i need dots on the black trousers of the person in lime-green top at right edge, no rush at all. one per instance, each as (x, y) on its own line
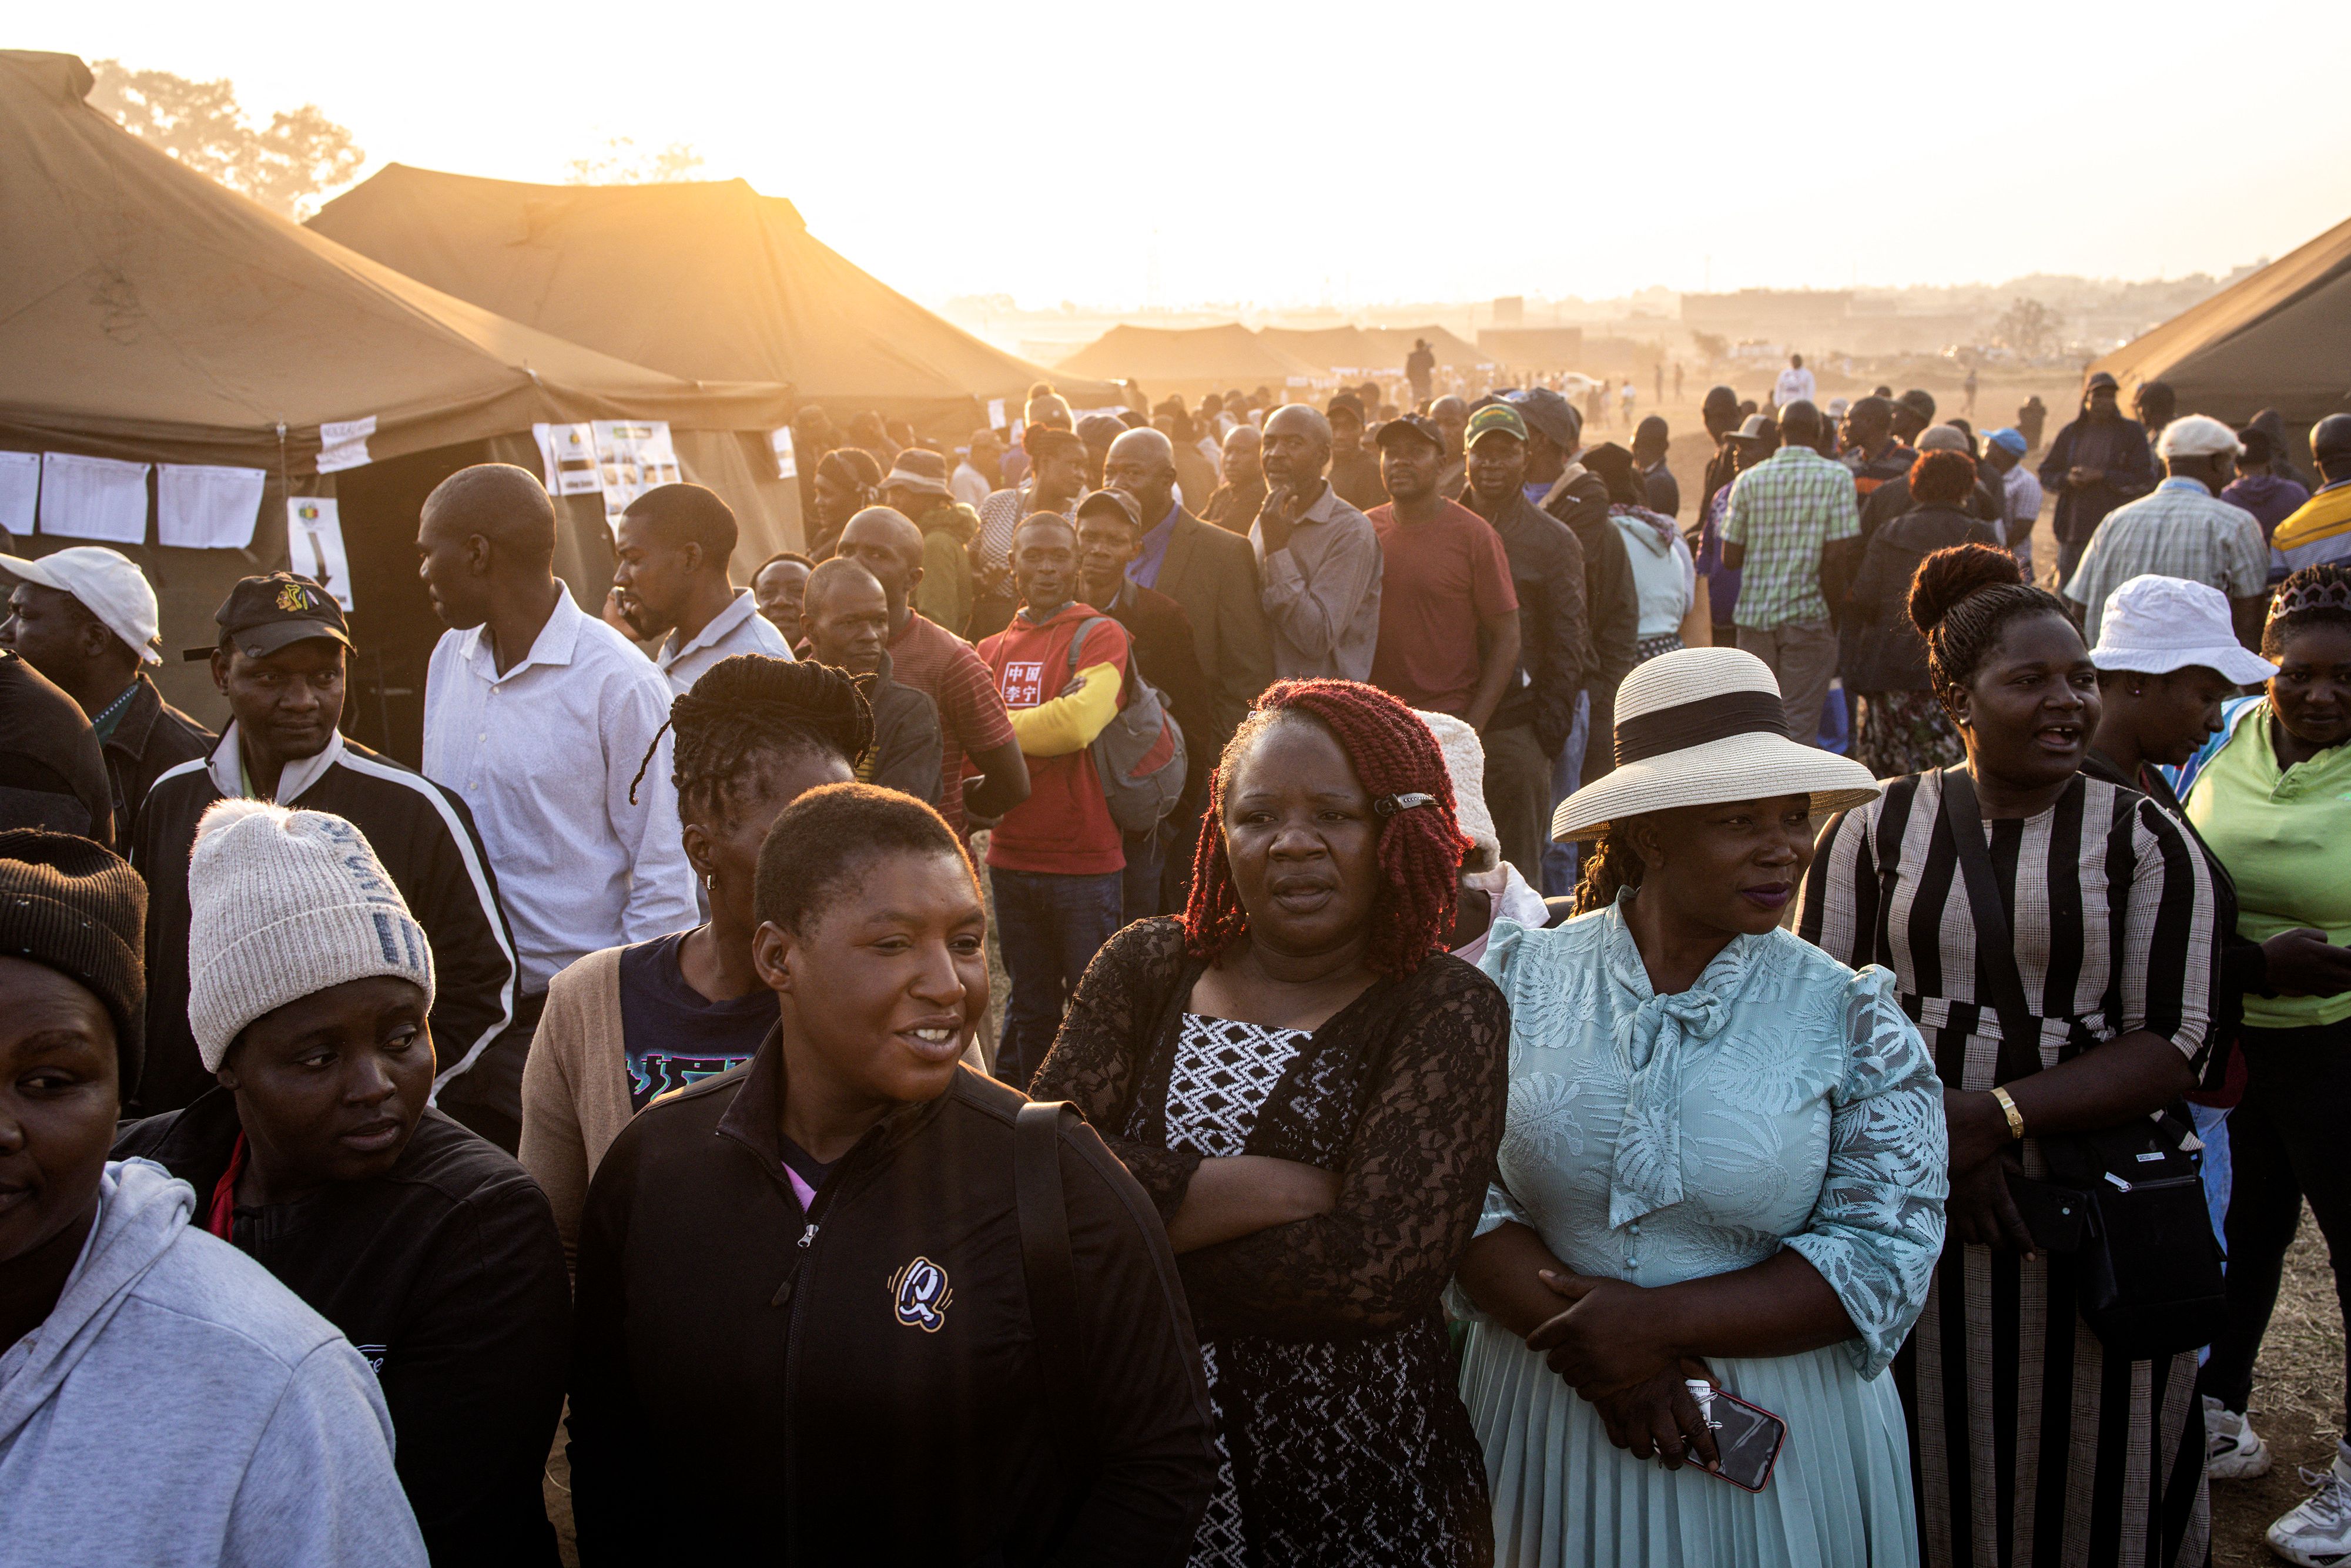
(2284, 1146)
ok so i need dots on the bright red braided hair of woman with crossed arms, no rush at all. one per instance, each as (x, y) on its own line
(1421, 847)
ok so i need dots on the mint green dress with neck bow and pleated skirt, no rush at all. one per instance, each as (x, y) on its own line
(1783, 1101)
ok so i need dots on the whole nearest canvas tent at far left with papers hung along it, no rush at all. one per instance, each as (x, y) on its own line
(154, 319)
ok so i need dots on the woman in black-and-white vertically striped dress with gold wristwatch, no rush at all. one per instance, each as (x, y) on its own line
(2028, 1442)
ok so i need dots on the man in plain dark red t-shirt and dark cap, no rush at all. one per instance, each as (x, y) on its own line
(1449, 615)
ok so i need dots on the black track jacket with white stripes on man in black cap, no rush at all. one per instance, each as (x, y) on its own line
(429, 845)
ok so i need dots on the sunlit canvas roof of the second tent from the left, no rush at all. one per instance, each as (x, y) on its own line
(699, 279)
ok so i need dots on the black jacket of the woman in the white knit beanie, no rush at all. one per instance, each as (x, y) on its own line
(450, 1280)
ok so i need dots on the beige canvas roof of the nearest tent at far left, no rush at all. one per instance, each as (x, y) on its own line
(152, 314)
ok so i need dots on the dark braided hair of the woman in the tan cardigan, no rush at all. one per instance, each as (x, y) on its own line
(753, 706)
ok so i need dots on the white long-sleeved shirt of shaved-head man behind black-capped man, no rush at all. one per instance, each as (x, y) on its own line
(544, 756)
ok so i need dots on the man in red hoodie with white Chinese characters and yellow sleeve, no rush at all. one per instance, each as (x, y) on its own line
(1057, 862)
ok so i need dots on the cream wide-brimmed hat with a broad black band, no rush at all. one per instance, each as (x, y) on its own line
(1696, 728)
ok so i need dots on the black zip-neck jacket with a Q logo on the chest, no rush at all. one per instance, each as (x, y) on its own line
(859, 1383)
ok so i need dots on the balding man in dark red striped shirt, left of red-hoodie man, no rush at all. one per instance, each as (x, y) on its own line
(974, 730)
